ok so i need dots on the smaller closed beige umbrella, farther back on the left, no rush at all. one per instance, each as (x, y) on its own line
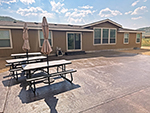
(26, 46)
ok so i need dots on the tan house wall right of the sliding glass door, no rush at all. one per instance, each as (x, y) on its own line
(87, 42)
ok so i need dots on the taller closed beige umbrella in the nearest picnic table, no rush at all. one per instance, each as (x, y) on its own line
(46, 48)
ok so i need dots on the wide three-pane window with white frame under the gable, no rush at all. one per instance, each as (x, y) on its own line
(104, 36)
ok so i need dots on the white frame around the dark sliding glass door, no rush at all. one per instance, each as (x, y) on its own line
(80, 41)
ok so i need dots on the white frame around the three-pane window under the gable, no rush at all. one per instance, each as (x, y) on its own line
(102, 36)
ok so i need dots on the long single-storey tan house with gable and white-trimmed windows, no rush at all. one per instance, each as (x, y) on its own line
(101, 35)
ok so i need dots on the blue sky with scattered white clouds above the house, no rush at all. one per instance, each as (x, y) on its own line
(129, 13)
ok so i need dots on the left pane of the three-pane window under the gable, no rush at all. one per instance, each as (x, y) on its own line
(97, 36)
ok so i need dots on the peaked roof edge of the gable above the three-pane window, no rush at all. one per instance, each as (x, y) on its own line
(102, 21)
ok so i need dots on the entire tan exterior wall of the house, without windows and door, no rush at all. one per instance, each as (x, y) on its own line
(59, 40)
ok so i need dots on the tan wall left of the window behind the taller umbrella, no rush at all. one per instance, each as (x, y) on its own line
(17, 42)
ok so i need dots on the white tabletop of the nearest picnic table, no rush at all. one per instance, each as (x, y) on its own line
(44, 64)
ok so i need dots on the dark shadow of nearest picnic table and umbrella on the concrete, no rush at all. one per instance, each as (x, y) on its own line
(46, 92)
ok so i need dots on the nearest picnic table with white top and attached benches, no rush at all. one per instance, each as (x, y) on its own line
(60, 64)
